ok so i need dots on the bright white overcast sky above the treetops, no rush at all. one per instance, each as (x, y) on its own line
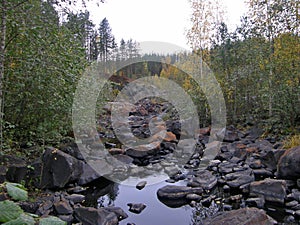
(155, 20)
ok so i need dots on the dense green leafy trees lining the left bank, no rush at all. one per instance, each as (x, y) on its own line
(41, 69)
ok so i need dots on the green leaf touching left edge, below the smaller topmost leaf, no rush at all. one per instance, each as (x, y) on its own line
(9, 211)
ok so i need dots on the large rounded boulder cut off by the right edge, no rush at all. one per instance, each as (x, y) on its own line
(289, 164)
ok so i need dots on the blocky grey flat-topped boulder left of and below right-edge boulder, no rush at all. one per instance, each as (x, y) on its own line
(272, 190)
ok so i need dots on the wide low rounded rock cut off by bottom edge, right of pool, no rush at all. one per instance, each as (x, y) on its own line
(244, 216)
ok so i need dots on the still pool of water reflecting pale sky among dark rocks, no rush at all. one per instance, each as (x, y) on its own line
(112, 194)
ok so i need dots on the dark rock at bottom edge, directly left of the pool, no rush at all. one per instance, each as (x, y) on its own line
(92, 216)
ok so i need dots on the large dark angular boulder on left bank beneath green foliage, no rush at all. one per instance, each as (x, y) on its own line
(59, 169)
